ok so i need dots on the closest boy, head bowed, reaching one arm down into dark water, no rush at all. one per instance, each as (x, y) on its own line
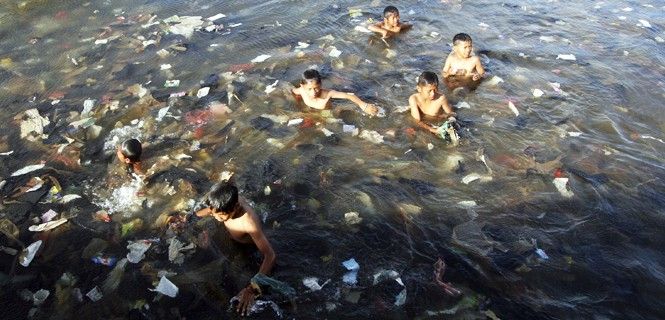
(244, 226)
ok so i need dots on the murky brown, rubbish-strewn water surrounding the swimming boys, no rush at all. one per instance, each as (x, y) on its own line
(549, 208)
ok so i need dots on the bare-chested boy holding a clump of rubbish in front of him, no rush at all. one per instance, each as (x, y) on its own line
(429, 103)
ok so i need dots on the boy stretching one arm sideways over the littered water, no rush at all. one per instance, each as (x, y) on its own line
(318, 98)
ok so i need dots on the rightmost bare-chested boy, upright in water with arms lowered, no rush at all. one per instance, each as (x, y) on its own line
(460, 62)
